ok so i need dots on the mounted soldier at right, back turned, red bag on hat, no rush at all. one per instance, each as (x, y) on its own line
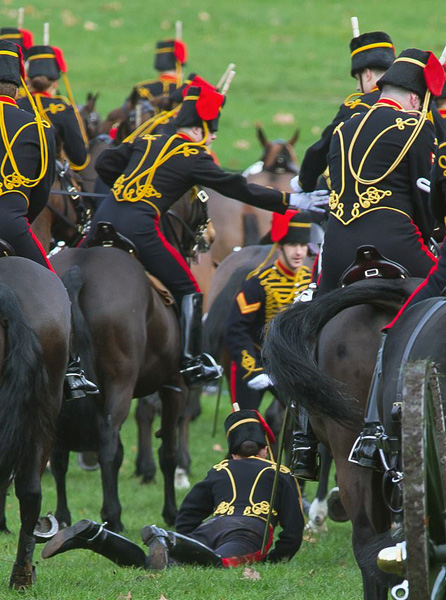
(375, 161)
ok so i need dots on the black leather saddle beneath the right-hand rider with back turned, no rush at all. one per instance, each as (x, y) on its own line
(368, 264)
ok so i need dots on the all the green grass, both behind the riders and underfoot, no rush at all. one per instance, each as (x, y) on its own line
(292, 62)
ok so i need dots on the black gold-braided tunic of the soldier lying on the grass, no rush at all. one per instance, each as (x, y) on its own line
(242, 488)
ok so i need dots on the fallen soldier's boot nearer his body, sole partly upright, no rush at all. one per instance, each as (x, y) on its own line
(164, 545)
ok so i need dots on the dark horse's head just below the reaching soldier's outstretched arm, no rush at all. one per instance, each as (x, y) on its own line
(187, 225)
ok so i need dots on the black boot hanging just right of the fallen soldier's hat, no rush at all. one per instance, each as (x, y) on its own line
(304, 456)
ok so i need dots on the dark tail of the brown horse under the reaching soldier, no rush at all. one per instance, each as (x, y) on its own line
(74, 282)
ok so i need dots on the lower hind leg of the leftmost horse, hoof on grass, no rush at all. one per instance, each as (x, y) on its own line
(29, 494)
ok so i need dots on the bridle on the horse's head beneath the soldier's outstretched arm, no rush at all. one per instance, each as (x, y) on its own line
(192, 240)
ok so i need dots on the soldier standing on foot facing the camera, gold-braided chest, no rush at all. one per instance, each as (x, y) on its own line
(262, 296)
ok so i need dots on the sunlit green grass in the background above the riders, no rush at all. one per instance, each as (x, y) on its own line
(292, 56)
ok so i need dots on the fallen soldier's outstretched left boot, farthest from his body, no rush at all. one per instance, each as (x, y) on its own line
(92, 536)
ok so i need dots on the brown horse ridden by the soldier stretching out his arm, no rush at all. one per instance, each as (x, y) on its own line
(129, 342)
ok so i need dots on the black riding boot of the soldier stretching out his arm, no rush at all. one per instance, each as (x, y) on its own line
(196, 368)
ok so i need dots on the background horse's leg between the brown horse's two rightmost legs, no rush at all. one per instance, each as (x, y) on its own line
(145, 414)
